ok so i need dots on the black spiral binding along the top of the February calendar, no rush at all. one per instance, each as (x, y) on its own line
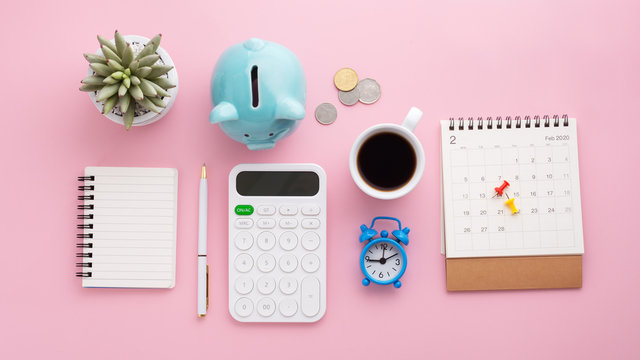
(517, 122)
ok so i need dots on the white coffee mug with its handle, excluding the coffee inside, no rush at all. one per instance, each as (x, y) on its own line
(405, 131)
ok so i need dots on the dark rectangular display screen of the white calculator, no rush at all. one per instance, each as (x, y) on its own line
(277, 183)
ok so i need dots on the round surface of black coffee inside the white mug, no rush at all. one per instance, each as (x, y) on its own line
(386, 161)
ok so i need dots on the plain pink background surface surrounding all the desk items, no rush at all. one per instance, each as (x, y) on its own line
(462, 58)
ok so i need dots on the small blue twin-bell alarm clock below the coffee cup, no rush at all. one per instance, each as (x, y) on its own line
(383, 260)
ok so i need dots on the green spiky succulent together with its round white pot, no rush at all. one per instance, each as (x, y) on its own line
(132, 80)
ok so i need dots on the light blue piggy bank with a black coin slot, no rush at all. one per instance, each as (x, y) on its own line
(259, 93)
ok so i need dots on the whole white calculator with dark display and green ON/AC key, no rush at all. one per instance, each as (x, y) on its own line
(277, 242)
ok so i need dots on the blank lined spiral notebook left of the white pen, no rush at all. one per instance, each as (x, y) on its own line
(128, 227)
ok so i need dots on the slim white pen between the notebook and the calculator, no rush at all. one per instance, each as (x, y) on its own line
(203, 268)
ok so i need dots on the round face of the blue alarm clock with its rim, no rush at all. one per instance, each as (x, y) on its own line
(383, 261)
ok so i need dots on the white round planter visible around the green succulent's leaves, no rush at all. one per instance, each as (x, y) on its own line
(143, 116)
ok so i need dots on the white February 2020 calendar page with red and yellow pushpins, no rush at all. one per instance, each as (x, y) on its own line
(537, 213)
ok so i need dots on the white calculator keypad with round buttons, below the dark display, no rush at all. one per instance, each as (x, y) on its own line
(277, 253)
